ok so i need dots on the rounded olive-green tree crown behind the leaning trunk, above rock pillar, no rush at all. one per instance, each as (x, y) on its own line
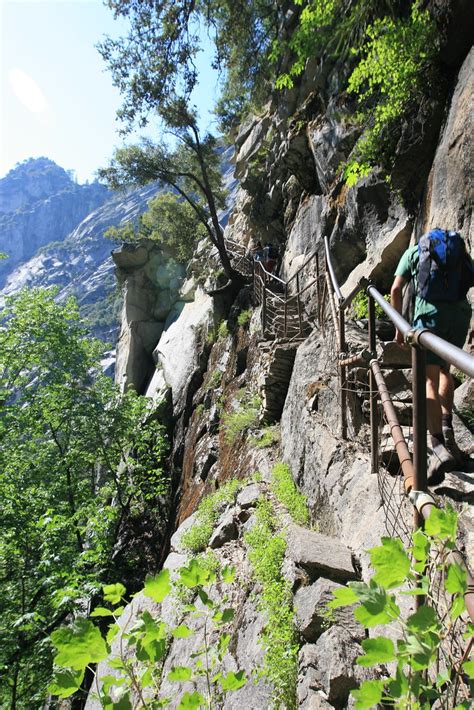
(169, 221)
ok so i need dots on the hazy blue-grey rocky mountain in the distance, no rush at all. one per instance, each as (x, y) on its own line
(53, 231)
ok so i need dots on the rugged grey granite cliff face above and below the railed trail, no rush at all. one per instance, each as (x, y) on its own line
(286, 161)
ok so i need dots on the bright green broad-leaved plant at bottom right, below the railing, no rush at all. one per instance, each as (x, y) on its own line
(417, 682)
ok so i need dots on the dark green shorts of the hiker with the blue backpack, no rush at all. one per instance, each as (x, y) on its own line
(451, 322)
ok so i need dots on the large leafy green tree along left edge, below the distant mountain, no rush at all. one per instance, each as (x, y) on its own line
(72, 458)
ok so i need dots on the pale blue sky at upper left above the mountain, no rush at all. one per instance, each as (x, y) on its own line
(56, 97)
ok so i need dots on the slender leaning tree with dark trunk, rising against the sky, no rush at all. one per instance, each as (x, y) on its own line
(154, 69)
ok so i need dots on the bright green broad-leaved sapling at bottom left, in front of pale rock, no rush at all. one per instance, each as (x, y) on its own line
(139, 652)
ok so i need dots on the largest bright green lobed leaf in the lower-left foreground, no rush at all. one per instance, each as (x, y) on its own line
(79, 645)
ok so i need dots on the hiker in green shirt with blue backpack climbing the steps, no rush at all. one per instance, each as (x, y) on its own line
(442, 273)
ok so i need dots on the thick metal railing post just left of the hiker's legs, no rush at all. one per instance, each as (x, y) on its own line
(419, 421)
